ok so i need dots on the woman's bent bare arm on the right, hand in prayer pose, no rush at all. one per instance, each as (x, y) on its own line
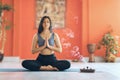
(57, 47)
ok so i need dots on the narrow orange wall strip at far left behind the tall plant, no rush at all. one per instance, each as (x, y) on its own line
(9, 39)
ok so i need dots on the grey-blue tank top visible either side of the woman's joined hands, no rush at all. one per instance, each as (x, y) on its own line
(41, 41)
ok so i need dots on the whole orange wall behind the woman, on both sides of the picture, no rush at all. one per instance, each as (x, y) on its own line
(86, 21)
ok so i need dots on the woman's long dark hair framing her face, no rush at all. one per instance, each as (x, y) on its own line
(40, 28)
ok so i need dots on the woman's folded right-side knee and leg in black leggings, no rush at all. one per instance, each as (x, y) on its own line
(61, 65)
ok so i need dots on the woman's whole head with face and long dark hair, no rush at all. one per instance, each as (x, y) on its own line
(44, 24)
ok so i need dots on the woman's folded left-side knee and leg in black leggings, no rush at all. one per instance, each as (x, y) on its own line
(32, 65)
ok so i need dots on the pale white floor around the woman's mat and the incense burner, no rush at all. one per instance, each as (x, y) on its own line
(104, 71)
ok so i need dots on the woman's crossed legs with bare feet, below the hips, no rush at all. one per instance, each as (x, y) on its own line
(35, 65)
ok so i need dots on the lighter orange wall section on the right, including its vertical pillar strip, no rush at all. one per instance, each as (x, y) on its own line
(97, 16)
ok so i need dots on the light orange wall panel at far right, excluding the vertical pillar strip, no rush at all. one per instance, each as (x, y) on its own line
(103, 13)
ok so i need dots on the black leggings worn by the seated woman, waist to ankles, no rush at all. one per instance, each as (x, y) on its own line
(44, 60)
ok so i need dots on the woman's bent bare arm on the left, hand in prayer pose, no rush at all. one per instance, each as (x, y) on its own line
(35, 47)
